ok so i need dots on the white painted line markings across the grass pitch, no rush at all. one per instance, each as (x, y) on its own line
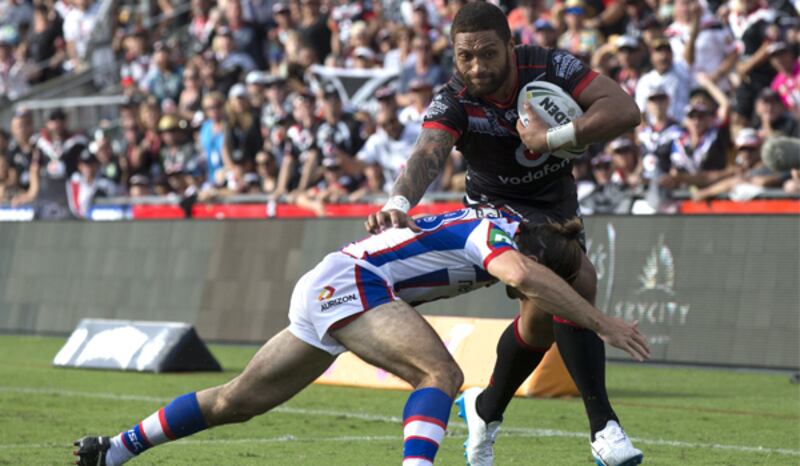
(507, 431)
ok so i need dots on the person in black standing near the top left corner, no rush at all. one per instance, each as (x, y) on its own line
(46, 48)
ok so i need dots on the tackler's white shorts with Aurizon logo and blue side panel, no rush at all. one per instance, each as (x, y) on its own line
(333, 294)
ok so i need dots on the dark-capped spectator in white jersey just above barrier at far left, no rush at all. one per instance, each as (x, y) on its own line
(85, 186)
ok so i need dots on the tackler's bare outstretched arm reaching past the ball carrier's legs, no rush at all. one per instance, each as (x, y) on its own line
(556, 297)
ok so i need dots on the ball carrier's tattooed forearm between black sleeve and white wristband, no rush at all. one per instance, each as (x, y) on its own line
(424, 165)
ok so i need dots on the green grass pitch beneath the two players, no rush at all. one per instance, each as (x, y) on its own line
(676, 416)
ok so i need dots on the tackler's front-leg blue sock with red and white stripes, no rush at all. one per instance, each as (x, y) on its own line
(425, 419)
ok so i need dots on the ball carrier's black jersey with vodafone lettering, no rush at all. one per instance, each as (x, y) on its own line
(499, 165)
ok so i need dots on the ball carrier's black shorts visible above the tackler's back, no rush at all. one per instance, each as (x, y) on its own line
(537, 214)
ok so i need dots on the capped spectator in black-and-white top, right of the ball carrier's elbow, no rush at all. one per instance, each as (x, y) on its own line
(701, 148)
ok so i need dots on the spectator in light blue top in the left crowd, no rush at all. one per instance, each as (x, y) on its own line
(212, 137)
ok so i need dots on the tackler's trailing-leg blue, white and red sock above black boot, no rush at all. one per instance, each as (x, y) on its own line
(180, 418)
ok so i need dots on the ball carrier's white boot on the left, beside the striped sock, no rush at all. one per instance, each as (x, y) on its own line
(479, 446)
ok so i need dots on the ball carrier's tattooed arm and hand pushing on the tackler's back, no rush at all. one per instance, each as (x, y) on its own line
(424, 165)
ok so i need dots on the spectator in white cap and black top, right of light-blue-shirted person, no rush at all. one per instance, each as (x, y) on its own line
(243, 133)
